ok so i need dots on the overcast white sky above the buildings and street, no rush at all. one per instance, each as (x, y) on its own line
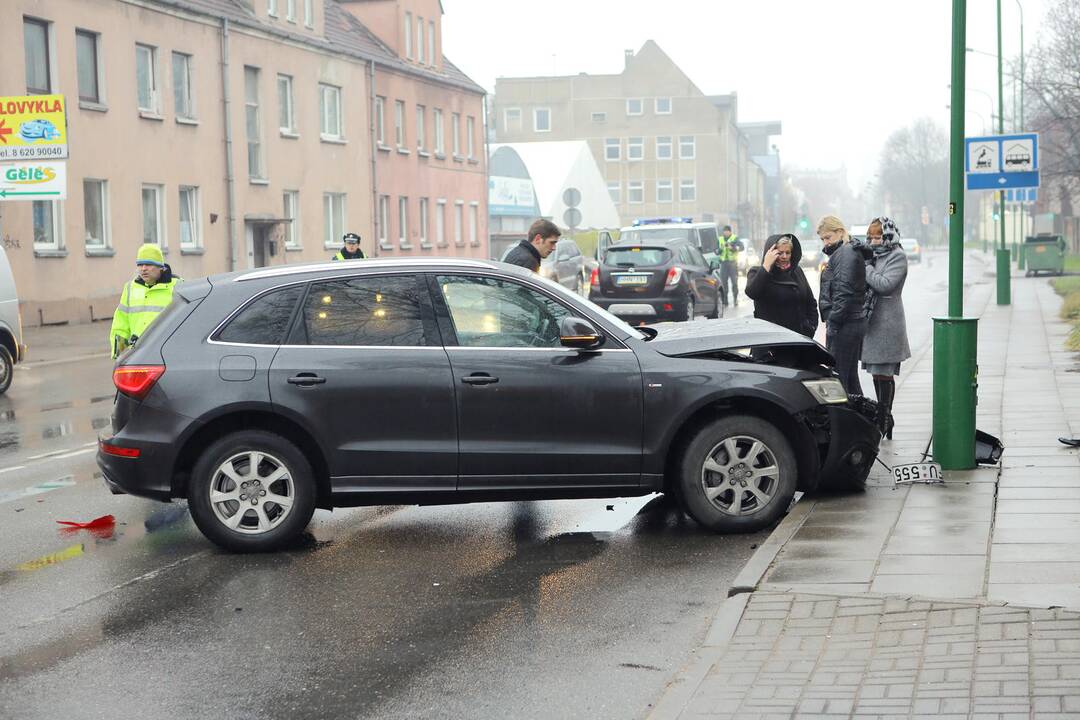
(841, 75)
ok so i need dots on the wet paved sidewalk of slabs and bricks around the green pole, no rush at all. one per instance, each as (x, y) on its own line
(955, 601)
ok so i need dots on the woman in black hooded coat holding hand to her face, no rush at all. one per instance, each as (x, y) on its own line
(780, 291)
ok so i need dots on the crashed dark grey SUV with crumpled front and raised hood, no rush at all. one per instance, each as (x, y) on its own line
(263, 396)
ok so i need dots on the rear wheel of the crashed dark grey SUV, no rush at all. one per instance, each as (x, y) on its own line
(277, 458)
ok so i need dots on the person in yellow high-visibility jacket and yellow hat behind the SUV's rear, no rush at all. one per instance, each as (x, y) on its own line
(143, 298)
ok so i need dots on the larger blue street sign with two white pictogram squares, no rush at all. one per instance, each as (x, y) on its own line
(1000, 162)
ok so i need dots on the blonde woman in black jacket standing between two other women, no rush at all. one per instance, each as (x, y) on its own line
(841, 300)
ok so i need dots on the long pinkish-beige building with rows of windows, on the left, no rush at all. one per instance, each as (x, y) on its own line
(238, 134)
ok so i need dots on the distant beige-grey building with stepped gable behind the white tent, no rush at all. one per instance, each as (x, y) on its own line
(665, 147)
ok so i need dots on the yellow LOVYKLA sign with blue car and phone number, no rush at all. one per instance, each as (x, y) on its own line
(33, 128)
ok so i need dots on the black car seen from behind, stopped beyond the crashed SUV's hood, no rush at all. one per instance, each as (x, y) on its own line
(663, 280)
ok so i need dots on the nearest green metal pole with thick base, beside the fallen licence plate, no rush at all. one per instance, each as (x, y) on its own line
(955, 370)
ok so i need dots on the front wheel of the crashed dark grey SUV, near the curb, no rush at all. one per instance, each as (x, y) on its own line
(713, 486)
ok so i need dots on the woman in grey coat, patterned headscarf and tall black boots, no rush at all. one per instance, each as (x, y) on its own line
(886, 345)
